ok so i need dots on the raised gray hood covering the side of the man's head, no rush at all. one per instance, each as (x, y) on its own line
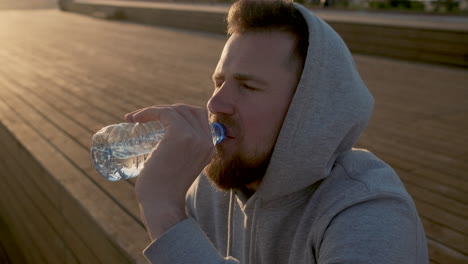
(329, 111)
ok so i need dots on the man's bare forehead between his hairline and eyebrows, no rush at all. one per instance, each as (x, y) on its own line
(257, 52)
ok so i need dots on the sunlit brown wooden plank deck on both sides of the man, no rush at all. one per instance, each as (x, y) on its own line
(63, 76)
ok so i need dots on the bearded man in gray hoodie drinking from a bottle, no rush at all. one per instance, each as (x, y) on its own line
(285, 186)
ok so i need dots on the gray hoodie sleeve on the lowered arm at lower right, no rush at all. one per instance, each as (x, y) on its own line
(377, 230)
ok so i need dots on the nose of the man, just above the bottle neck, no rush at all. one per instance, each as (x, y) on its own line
(222, 101)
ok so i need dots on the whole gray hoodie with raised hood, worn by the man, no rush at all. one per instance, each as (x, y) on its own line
(321, 201)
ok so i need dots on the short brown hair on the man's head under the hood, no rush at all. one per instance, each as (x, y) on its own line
(270, 15)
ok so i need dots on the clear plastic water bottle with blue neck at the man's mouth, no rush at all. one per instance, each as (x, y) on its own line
(119, 150)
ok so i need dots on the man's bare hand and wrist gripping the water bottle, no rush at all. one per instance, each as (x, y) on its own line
(182, 154)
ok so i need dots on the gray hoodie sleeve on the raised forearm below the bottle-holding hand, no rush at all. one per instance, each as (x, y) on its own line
(184, 243)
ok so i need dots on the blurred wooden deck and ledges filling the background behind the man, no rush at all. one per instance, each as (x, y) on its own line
(68, 68)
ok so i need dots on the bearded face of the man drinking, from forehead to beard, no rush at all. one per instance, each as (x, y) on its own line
(254, 80)
